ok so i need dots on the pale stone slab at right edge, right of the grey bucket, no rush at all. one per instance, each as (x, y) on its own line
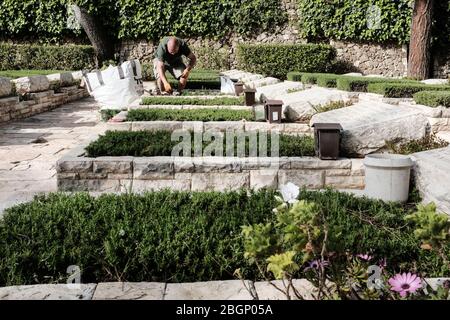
(432, 173)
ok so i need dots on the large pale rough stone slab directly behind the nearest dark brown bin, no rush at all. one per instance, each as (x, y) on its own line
(367, 126)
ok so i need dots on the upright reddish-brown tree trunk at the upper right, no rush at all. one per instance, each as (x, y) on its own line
(420, 45)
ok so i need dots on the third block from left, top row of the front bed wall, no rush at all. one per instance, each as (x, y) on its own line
(153, 168)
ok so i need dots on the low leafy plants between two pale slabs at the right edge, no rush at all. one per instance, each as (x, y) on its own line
(429, 142)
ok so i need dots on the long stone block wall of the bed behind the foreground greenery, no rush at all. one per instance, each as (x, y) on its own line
(75, 172)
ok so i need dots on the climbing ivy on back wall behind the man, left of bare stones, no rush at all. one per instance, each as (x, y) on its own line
(150, 19)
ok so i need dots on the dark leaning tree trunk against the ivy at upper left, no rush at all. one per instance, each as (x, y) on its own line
(104, 47)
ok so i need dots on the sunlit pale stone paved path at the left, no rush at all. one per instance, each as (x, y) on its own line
(30, 148)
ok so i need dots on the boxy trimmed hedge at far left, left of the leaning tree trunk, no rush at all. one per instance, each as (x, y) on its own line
(45, 57)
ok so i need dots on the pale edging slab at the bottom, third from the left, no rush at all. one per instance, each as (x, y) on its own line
(212, 290)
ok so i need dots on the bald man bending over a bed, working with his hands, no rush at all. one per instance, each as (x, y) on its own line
(168, 57)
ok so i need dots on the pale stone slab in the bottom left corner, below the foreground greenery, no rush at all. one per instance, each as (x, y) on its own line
(48, 292)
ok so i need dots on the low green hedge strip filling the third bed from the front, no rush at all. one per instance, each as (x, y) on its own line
(189, 115)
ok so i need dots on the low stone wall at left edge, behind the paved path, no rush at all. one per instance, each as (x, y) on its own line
(38, 94)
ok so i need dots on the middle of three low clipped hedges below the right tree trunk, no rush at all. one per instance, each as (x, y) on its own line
(403, 90)
